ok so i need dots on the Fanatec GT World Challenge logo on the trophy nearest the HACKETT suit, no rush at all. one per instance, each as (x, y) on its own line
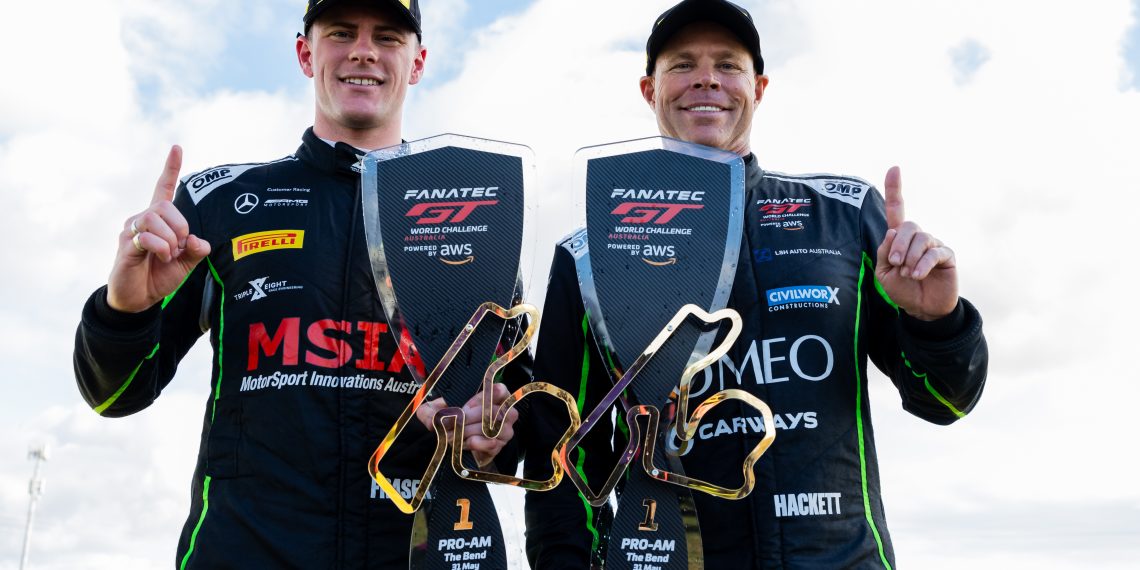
(649, 213)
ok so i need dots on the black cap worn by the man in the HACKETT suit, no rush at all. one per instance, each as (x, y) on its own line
(722, 12)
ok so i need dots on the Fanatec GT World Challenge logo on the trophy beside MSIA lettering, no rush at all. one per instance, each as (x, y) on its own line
(439, 215)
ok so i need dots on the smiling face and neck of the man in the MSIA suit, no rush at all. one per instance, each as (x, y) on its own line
(362, 61)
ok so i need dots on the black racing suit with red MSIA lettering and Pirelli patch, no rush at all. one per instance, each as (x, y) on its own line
(307, 378)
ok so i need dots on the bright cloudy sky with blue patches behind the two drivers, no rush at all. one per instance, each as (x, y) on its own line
(1015, 125)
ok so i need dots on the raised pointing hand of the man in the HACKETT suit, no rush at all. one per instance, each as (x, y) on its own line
(915, 268)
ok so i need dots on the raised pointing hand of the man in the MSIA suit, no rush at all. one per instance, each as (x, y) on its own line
(157, 250)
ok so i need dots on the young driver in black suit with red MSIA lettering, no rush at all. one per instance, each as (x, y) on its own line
(307, 379)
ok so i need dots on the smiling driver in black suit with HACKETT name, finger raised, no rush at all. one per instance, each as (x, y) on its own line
(830, 275)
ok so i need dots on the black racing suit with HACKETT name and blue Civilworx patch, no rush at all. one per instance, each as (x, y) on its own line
(813, 314)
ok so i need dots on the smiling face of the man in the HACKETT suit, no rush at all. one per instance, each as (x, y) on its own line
(705, 88)
